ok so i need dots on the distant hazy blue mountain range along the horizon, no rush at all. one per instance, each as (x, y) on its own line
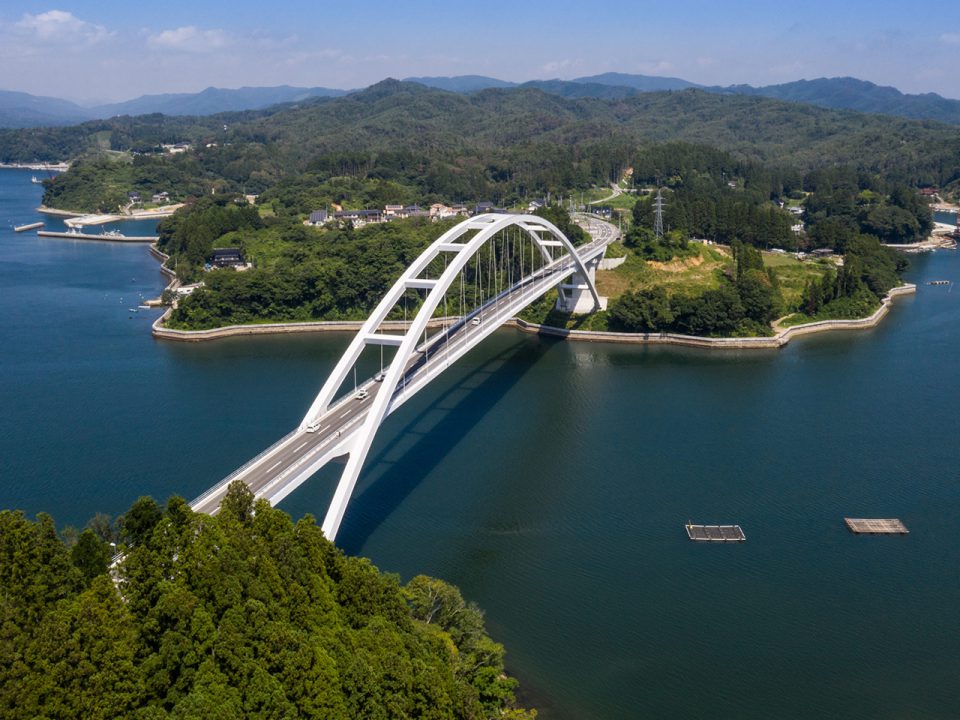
(18, 110)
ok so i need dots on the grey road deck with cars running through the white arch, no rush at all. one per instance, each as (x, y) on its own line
(285, 465)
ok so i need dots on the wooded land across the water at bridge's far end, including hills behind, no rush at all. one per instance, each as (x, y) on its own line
(738, 175)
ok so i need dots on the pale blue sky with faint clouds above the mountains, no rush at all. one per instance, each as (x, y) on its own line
(95, 51)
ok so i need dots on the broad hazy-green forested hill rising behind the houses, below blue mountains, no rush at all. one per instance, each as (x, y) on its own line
(394, 114)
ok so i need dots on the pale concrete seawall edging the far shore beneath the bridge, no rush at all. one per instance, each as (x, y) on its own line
(776, 341)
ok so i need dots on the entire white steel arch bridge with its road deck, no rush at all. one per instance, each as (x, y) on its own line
(489, 267)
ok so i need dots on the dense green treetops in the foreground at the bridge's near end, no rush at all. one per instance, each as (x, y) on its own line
(242, 615)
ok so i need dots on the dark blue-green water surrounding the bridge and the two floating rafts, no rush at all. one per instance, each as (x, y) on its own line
(551, 482)
